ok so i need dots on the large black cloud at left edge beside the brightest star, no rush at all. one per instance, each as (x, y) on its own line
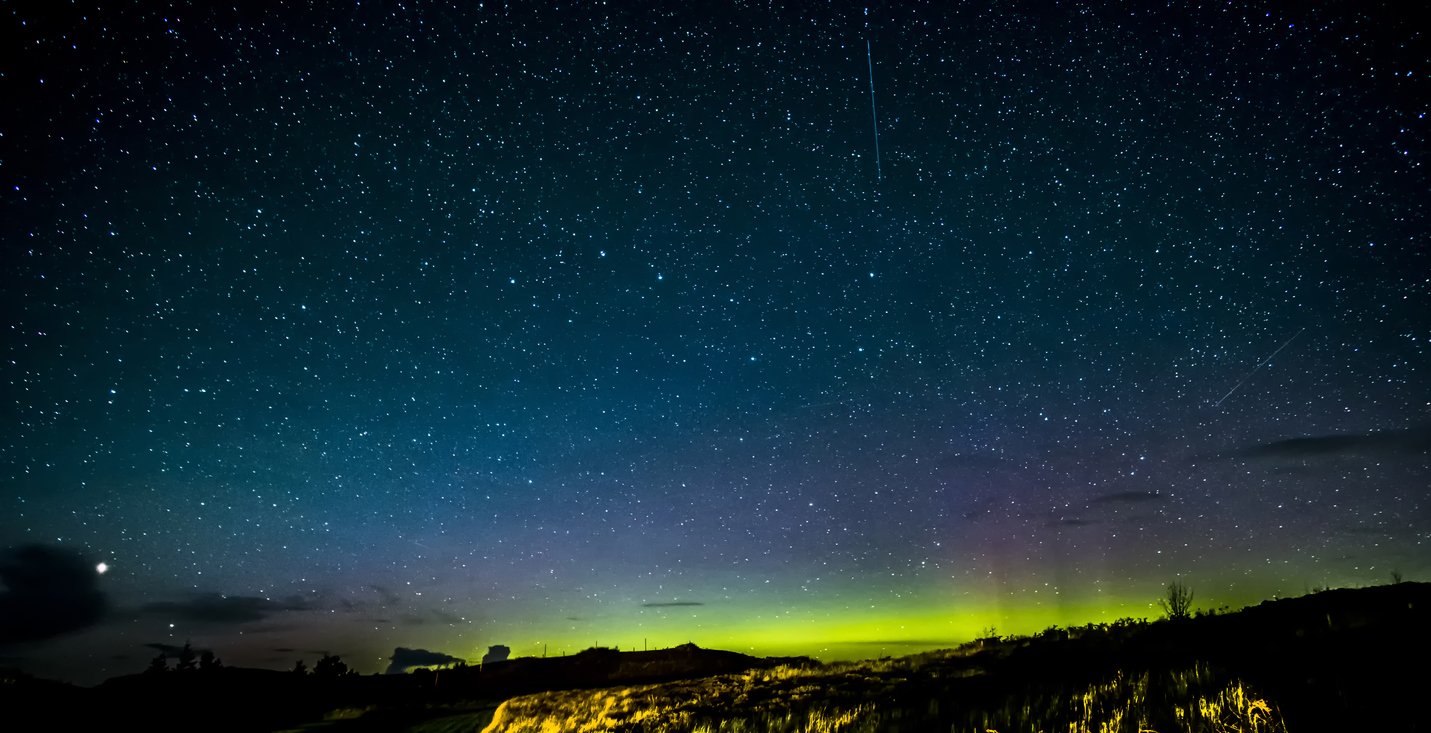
(48, 592)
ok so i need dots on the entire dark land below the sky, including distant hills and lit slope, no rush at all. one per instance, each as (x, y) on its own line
(1336, 661)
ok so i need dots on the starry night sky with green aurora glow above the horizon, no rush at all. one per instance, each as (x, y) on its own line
(443, 327)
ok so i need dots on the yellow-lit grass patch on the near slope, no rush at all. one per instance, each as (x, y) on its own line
(917, 694)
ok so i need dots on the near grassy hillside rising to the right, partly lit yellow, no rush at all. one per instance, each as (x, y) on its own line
(1322, 662)
